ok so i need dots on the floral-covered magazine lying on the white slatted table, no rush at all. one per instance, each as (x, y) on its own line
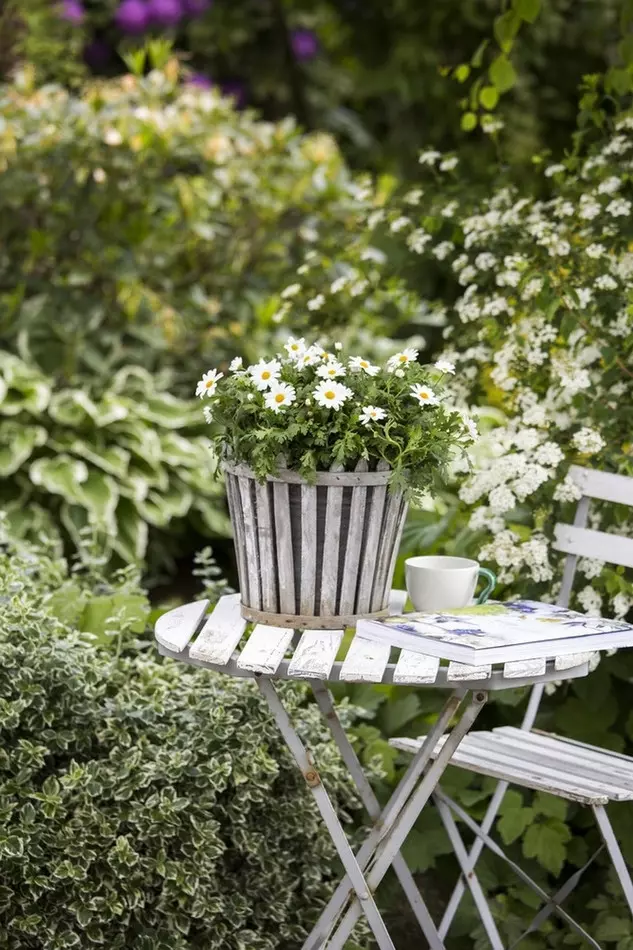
(496, 632)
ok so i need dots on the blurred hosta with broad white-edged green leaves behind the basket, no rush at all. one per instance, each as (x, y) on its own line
(120, 463)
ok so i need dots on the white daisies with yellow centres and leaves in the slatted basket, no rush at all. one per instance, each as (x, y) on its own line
(316, 408)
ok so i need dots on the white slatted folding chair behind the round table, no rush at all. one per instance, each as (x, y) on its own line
(536, 760)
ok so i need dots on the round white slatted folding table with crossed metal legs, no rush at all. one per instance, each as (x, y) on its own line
(217, 641)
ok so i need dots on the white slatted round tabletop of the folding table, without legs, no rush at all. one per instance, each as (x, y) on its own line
(223, 641)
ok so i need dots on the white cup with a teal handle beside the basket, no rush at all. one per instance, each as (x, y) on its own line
(442, 583)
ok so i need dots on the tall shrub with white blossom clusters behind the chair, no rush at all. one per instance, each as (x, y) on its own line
(543, 330)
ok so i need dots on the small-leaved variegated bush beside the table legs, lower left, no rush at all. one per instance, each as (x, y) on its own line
(145, 804)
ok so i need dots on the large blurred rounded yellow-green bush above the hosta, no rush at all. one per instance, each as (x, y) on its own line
(149, 222)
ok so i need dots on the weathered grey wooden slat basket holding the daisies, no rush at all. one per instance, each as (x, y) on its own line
(316, 555)
